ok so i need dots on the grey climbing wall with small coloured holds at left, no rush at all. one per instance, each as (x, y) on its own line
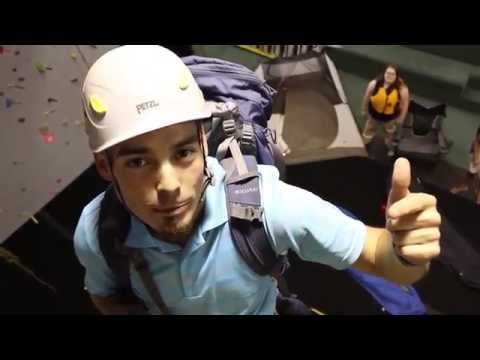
(42, 141)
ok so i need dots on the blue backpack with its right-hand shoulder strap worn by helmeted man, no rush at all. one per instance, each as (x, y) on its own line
(240, 139)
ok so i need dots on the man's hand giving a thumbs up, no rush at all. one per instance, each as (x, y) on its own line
(412, 219)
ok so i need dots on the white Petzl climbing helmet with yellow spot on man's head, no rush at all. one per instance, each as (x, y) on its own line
(135, 89)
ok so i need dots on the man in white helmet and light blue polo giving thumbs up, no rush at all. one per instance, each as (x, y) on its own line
(144, 115)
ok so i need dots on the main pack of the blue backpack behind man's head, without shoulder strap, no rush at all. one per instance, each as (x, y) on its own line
(241, 104)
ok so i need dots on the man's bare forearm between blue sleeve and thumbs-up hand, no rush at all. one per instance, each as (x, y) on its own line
(389, 266)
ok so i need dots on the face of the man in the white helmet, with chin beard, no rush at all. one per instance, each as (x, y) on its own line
(160, 175)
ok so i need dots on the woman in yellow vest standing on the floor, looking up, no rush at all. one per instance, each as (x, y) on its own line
(385, 103)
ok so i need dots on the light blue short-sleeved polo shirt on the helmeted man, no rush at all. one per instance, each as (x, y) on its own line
(208, 276)
